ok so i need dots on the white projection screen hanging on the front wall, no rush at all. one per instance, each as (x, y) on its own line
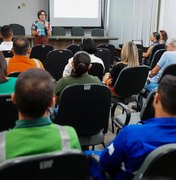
(68, 13)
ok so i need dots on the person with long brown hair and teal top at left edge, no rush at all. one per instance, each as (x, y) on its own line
(7, 84)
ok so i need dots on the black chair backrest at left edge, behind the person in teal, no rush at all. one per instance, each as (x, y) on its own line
(8, 112)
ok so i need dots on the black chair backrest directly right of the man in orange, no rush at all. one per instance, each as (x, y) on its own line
(40, 52)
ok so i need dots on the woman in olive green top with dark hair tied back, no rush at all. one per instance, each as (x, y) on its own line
(79, 75)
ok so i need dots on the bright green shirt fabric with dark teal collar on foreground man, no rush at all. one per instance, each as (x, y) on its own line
(37, 136)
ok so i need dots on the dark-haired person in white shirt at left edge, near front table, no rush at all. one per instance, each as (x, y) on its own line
(7, 35)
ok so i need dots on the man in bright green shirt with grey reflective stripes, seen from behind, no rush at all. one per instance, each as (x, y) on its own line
(34, 132)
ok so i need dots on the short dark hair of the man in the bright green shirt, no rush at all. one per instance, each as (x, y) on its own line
(34, 91)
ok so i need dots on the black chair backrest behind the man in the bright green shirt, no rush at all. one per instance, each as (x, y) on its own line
(65, 165)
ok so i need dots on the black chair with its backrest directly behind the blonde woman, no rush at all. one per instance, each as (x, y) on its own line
(128, 86)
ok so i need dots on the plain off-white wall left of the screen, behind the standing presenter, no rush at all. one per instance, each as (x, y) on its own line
(25, 15)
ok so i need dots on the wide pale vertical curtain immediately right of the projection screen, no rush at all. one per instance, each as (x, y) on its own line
(132, 20)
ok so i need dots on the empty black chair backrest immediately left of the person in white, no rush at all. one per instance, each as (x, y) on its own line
(56, 61)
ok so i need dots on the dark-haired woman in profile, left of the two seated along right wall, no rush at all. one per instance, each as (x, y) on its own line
(154, 38)
